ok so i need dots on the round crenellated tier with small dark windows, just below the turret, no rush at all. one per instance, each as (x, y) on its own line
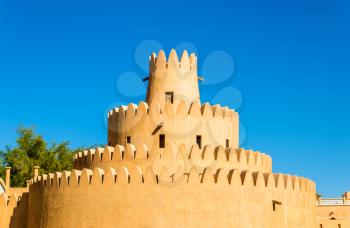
(179, 123)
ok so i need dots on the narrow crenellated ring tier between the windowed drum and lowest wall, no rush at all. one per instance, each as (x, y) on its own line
(173, 157)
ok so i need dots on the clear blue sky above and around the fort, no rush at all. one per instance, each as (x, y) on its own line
(60, 62)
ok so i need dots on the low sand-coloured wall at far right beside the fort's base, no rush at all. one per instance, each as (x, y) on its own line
(333, 216)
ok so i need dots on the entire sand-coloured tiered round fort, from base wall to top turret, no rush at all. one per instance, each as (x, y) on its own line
(170, 162)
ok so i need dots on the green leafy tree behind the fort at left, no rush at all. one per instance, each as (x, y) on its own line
(32, 150)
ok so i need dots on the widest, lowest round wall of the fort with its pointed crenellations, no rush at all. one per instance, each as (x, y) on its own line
(131, 198)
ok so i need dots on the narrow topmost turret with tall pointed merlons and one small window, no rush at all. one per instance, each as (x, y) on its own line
(173, 80)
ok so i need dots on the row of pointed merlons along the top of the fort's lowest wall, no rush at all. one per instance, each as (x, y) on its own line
(131, 176)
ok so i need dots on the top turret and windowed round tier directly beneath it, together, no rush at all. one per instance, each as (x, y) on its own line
(172, 111)
